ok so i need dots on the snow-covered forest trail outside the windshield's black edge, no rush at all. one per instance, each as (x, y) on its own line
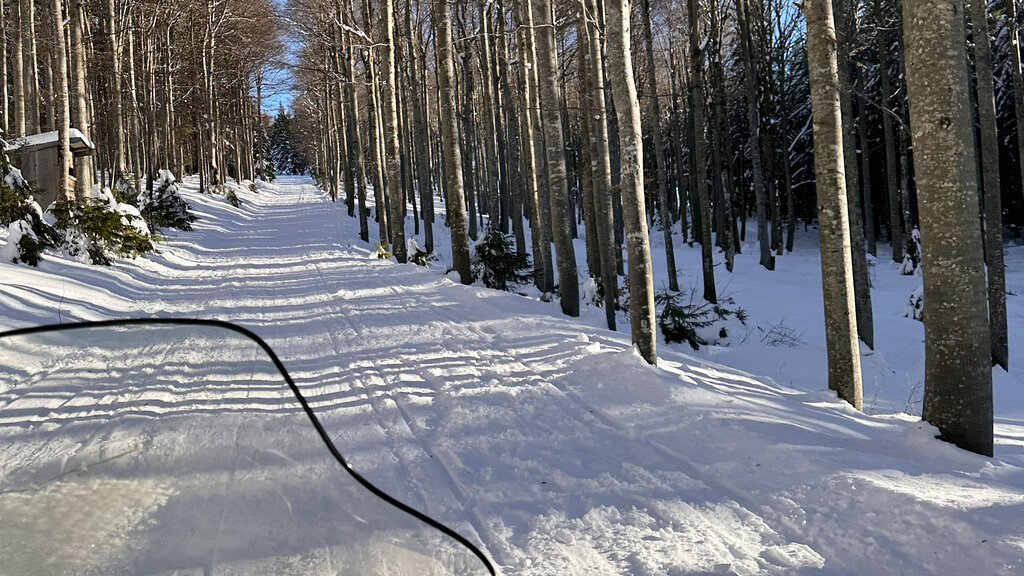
(548, 441)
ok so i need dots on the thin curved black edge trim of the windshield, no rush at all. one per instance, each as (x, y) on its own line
(295, 391)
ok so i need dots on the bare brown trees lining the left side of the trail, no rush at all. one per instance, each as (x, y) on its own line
(173, 85)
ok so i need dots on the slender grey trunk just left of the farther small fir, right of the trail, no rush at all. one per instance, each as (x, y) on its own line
(453, 156)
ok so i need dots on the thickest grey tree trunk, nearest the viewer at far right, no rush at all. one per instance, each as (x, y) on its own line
(958, 349)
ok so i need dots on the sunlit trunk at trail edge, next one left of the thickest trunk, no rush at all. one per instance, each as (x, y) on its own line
(837, 267)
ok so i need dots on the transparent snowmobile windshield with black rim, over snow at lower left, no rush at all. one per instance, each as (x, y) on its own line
(185, 448)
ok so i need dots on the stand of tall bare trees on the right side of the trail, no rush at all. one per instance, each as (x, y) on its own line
(528, 113)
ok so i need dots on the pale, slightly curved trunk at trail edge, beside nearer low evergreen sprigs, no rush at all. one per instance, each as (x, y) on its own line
(631, 146)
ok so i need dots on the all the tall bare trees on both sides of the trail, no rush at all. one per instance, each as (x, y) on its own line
(534, 116)
